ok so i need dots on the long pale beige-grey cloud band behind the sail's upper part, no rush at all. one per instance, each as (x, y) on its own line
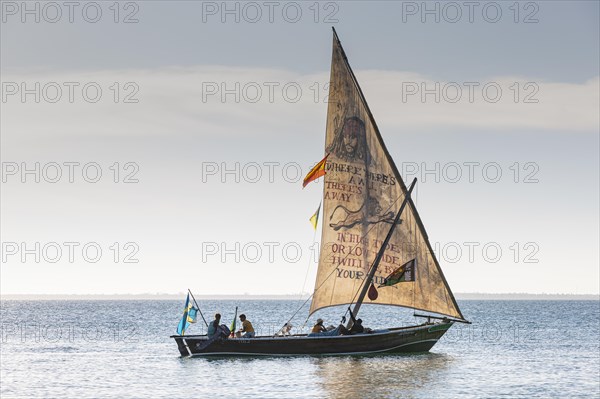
(230, 101)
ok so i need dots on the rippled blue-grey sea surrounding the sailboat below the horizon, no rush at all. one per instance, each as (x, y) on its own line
(122, 349)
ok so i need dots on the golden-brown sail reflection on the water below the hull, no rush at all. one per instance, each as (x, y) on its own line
(379, 376)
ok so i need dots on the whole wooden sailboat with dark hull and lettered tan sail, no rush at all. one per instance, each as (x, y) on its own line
(374, 247)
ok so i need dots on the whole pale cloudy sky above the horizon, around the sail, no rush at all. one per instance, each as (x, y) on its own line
(153, 146)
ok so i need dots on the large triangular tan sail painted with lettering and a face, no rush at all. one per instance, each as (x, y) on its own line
(363, 192)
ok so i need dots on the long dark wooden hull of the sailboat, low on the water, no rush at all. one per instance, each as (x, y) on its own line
(394, 340)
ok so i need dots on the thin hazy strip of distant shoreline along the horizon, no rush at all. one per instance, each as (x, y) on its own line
(124, 297)
